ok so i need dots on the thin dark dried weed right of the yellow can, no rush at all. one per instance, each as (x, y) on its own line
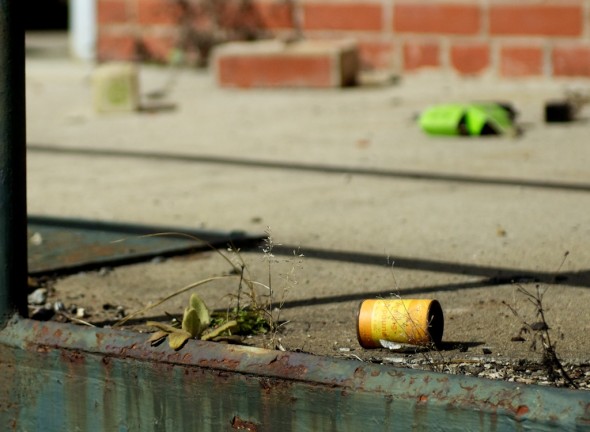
(540, 332)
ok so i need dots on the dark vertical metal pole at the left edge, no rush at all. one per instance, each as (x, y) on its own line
(13, 201)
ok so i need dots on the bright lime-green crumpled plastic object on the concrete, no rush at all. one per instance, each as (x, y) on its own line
(467, 119)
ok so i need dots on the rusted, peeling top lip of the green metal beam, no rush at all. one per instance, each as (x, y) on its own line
(532, 406)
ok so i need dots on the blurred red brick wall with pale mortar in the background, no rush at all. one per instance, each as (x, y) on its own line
(503, 38)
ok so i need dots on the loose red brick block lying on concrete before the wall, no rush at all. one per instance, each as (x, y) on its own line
(304, 64)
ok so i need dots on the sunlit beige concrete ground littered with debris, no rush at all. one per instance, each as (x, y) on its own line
(345, 177)
